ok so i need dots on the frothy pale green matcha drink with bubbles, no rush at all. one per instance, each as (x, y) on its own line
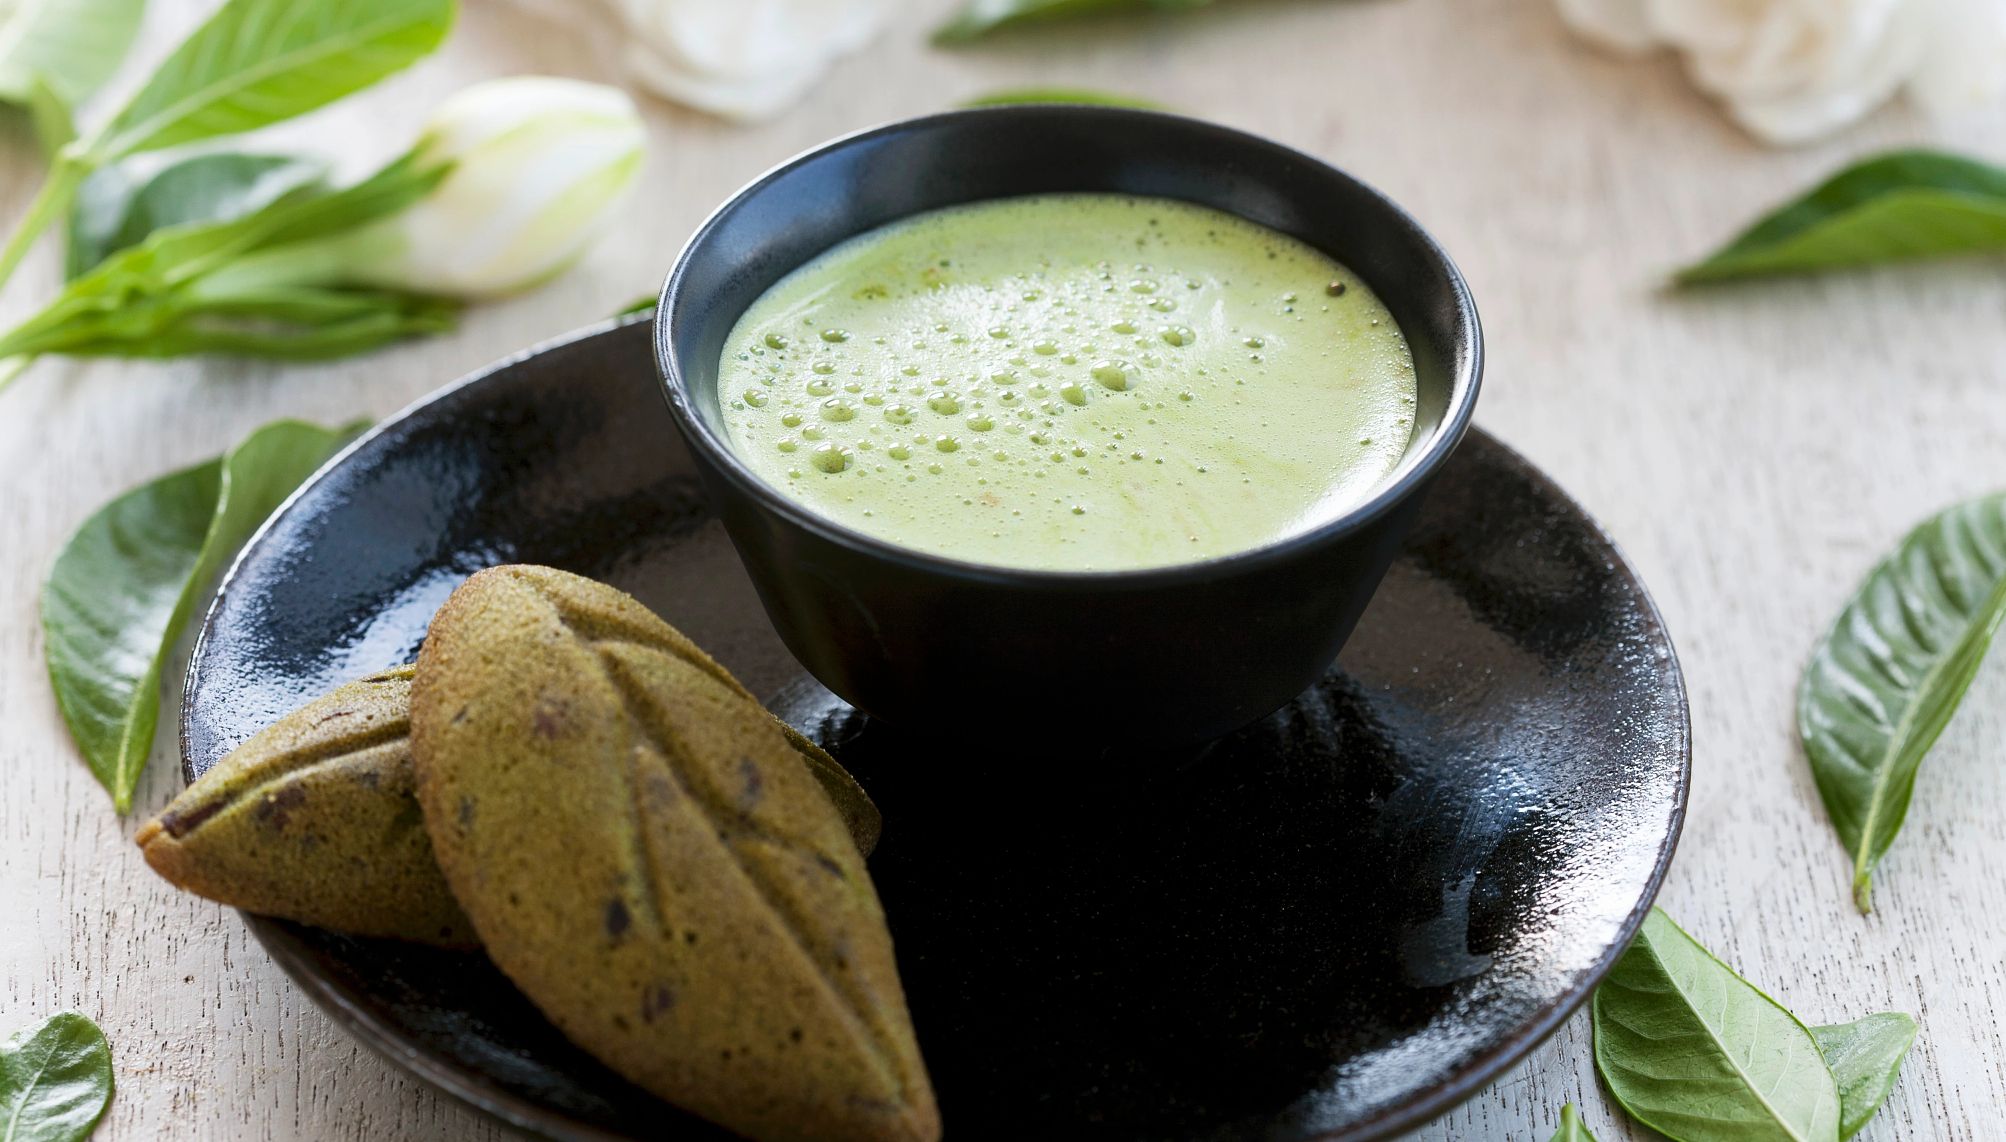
(1072, 382)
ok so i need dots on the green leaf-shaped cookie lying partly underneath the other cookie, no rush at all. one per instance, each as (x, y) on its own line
(316, 820)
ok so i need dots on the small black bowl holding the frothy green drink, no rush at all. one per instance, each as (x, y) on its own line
(1164, 655)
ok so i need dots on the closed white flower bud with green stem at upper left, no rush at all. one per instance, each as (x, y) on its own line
(539, 166)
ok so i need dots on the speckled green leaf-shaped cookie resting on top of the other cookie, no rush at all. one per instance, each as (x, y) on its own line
(645, 856)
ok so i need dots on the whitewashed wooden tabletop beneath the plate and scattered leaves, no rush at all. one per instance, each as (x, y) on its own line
(1752, 451)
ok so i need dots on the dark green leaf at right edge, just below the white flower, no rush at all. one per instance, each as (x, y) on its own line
(1897, 208)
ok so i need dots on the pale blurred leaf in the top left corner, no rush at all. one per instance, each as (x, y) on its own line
(71, 45)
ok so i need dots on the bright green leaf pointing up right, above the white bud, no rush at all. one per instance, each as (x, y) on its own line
(266, 61)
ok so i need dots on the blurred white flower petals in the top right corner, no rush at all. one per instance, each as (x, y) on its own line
(1794, 71)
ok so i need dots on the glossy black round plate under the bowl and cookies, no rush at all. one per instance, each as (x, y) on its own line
(1335, 924)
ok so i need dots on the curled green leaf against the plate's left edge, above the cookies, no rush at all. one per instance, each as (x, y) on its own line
(129, 579)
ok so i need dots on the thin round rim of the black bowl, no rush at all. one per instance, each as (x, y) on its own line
(1409, 479)
